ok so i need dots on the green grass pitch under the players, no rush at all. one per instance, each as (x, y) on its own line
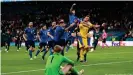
(107, 61)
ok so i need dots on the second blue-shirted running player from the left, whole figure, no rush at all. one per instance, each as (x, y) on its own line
(42, 35)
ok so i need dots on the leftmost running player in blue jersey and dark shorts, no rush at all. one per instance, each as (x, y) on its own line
(29, 37)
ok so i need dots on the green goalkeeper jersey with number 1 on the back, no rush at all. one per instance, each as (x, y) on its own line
(54, 62)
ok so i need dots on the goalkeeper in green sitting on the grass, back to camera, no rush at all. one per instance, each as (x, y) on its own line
(54, 62)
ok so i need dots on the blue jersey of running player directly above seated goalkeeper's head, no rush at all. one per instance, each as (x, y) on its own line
(59, 31)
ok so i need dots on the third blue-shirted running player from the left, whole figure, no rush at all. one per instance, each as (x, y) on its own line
(50, 34)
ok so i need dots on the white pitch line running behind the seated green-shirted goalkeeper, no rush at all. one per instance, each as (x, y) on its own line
(75, 66)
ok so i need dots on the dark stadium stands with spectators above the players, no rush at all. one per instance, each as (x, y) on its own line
(16, 15)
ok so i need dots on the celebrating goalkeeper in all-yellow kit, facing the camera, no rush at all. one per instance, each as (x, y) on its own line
(84, 26)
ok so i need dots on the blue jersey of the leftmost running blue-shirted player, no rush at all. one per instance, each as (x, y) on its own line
(30, 32)
